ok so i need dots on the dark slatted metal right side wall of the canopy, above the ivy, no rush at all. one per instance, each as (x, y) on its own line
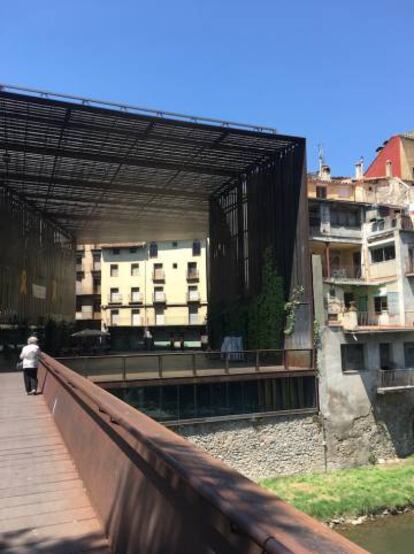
(266, 209)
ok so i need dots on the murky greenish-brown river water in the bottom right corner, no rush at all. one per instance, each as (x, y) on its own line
(389, 535)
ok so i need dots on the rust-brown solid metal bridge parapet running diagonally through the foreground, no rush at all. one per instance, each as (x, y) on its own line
(155, 492)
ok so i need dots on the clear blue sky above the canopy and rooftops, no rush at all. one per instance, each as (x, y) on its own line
(338, 72)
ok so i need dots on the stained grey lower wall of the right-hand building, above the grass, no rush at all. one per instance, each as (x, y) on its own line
(361, 425)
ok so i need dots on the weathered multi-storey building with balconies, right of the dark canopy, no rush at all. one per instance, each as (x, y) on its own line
(362, 254)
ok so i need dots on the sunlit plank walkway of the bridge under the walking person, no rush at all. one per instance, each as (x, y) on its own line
(44, 507)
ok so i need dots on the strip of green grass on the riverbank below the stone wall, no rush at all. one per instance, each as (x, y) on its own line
(349, 492)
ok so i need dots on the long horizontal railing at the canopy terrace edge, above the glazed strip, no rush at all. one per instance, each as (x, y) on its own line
(156, 365)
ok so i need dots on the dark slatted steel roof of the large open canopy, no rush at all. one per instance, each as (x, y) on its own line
(103, 172)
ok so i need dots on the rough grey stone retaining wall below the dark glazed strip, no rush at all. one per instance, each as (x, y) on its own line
(262, 447)
